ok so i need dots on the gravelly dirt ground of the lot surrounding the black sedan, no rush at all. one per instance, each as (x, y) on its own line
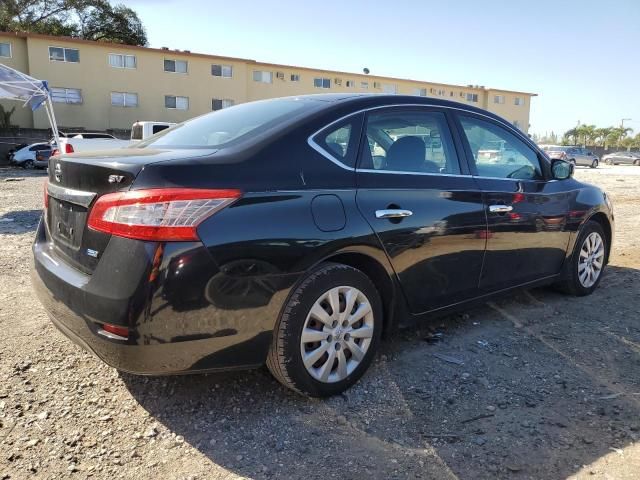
(541, 386)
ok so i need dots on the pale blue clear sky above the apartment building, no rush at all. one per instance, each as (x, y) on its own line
(581, 57)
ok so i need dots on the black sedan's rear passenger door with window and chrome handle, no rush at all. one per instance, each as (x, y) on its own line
(423, 204)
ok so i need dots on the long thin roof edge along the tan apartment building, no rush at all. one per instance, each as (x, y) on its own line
(188, 53)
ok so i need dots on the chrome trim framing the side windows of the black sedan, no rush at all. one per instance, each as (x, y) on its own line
(455, 133)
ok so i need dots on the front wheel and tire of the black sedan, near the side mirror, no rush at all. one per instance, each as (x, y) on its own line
(573, 282)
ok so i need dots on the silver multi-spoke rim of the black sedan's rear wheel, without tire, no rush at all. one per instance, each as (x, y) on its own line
(337, 334)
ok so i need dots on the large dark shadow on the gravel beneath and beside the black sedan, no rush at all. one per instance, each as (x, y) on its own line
(536, 385)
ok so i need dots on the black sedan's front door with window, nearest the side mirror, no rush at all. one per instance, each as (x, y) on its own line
(526, 213)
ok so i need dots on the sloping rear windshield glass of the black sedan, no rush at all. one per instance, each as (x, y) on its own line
(222, 127)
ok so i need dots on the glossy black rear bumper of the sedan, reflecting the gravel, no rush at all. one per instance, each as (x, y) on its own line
(175, 326)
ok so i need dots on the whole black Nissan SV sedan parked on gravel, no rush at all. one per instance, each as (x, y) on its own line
(296, 231)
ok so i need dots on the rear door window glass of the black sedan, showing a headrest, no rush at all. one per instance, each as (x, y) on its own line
(410, 141)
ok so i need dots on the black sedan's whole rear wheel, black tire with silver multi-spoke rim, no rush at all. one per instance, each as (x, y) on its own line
(330, 281)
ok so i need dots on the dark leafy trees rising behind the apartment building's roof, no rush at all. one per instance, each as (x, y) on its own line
(88, 19)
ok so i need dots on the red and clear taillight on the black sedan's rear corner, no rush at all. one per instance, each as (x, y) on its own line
(163, 214)
